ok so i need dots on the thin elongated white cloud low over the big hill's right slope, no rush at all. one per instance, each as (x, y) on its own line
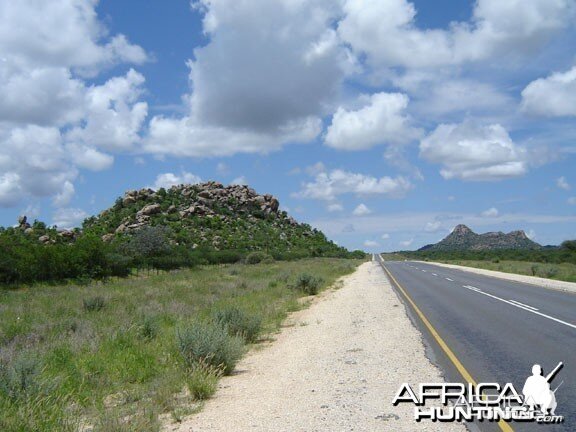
(328, 185)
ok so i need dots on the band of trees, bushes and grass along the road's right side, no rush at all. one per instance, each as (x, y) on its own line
(550, 262)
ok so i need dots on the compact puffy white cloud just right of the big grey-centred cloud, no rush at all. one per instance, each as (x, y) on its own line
(381, 120)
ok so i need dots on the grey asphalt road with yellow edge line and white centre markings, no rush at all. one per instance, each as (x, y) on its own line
(498, 329)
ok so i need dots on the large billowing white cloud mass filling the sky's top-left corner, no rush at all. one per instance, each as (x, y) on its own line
(53, 122)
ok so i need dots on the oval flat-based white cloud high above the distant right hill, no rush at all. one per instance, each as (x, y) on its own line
(472, 152)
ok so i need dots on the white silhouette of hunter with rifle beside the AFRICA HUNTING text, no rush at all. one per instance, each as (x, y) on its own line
(537, 391)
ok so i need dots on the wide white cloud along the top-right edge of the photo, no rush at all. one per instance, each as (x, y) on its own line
(515, 26)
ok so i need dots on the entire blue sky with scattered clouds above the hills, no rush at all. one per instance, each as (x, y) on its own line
(384, 123)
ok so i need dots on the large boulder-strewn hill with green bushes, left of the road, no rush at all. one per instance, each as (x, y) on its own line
(212, 216)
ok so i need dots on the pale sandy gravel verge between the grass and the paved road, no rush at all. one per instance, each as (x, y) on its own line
(336, 366)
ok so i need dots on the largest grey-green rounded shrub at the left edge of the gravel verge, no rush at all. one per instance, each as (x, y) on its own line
(209, 344)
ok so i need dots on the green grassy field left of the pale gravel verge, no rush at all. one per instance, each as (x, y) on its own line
(108, 355)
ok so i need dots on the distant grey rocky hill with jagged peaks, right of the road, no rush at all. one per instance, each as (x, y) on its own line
(463, 238)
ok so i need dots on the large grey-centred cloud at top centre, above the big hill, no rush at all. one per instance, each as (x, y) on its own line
(262, 81)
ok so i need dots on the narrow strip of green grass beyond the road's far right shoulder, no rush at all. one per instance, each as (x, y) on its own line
(562, 271)
